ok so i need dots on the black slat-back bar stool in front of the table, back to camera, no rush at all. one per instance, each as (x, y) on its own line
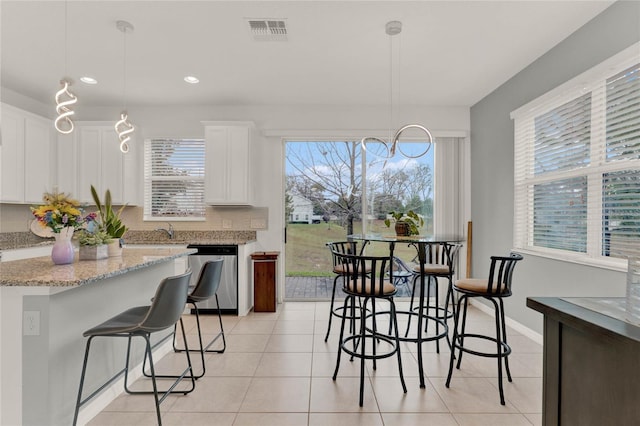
(370, 279)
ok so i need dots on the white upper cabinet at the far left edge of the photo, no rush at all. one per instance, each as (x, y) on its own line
(25, 156)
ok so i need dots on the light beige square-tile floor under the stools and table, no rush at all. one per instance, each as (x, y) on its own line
(277, 371)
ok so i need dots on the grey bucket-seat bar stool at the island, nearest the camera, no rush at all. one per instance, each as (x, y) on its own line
(164, 312)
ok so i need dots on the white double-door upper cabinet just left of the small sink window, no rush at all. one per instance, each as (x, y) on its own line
(91, 156)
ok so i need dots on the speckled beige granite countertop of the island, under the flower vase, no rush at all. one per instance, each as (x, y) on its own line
(41, 272)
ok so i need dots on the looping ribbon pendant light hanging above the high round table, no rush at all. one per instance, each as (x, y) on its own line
(386, 149)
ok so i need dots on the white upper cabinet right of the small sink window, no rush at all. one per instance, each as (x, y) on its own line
(228, 162)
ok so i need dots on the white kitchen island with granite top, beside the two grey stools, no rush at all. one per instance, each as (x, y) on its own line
(45, 308)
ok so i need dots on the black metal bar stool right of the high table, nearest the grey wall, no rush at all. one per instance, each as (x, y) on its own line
(493, 289)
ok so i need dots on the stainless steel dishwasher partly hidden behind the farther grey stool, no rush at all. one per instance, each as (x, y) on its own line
(228, 291)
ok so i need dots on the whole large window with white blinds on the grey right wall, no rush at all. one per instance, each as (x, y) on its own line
(577, 167)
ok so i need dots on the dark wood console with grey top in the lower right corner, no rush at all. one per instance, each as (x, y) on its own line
(591, 362)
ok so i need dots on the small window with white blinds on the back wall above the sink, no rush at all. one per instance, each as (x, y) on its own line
(174, 179)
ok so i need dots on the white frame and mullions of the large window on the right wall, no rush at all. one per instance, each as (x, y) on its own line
(593, 81)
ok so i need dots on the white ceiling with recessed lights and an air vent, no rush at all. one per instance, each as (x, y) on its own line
(451, 53)
